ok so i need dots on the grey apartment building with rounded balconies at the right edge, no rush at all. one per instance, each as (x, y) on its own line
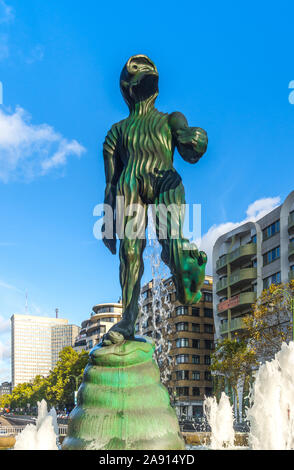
(249, 259)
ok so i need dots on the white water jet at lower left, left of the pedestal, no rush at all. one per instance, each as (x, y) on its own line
(40, 436)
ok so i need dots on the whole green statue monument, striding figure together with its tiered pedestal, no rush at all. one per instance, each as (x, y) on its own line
(122, 403)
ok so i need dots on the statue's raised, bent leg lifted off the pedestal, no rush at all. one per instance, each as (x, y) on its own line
(186, 263)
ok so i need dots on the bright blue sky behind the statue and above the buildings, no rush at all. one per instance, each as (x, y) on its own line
(227, 67)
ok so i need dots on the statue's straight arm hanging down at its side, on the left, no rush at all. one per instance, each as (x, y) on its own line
(113, 169)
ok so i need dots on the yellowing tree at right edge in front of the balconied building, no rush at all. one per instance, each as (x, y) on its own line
(271, 320)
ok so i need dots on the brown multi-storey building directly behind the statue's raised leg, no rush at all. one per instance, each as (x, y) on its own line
(192, 342)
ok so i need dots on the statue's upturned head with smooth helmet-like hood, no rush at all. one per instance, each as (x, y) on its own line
(139, 80)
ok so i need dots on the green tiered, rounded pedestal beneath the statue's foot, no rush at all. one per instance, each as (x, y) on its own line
(122, 404)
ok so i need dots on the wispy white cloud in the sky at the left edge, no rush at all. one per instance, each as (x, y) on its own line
(28, 150)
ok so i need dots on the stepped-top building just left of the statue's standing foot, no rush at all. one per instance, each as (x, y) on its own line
(102, 318)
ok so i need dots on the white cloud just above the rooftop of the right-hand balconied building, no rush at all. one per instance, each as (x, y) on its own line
(255, 211)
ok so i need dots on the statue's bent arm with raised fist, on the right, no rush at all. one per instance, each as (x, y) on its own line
(191, 142)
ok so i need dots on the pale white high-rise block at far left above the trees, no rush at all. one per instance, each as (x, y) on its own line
(35, 344)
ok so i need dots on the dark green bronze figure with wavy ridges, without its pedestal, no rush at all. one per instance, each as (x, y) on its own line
(138, 156)
